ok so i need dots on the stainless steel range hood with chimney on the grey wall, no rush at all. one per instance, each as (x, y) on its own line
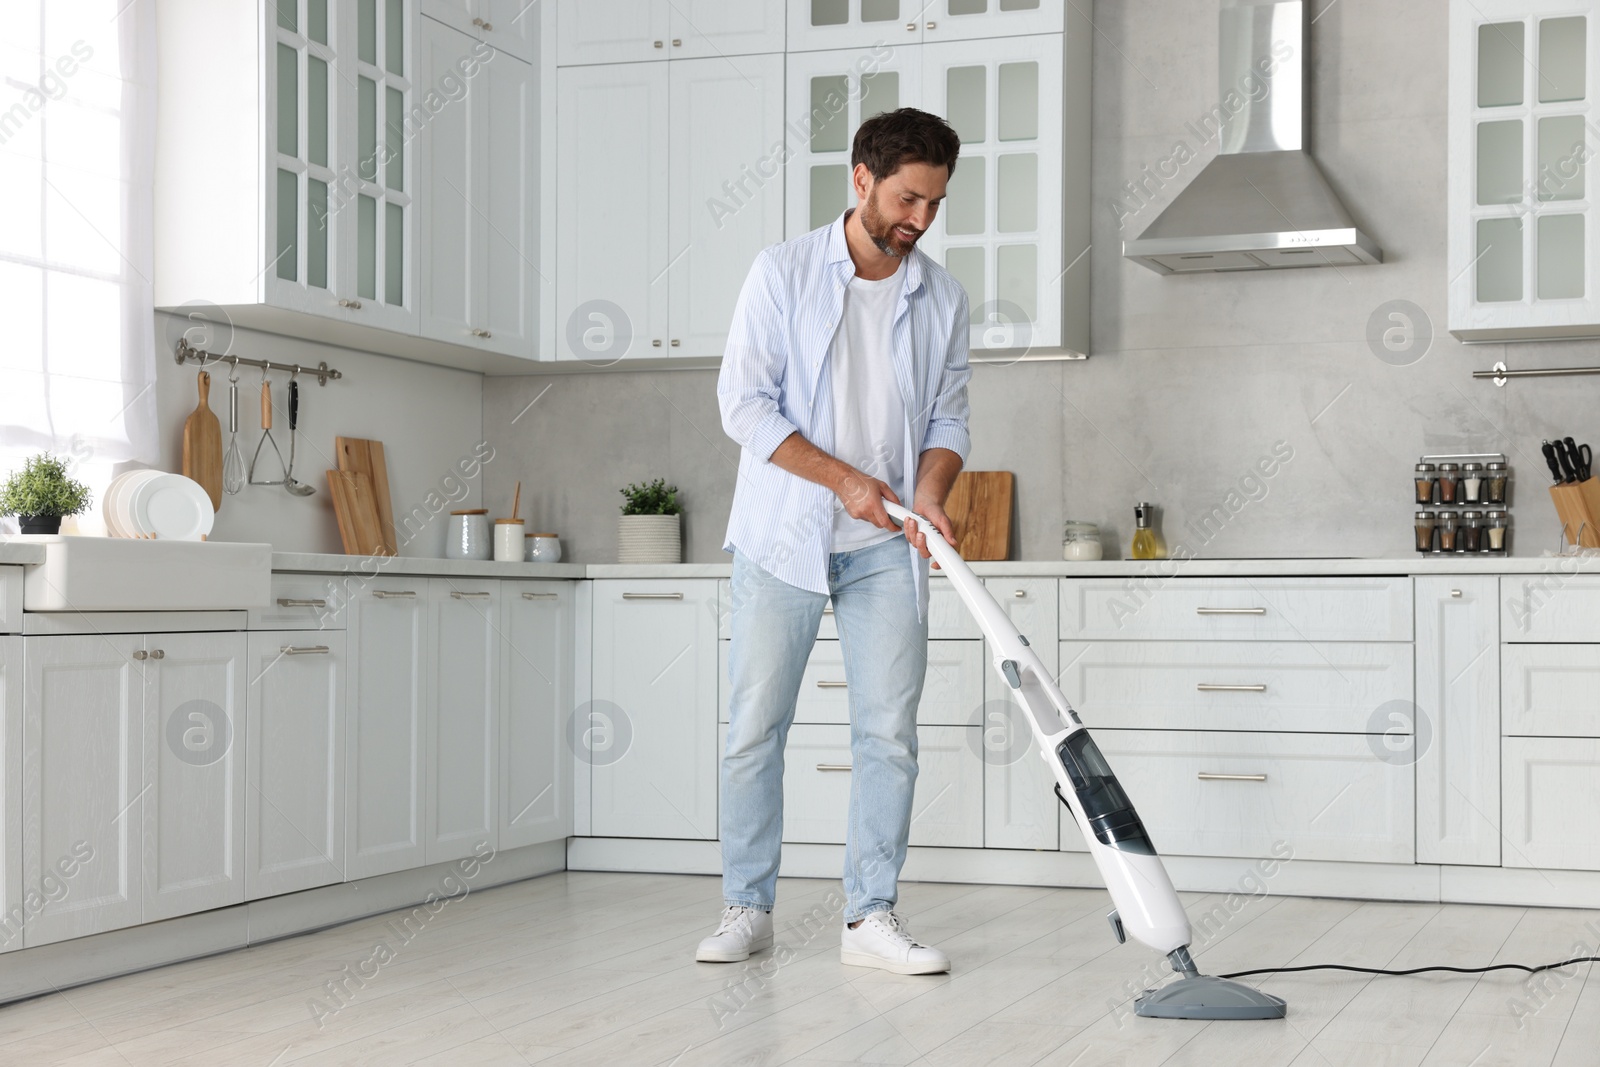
(1263, 202)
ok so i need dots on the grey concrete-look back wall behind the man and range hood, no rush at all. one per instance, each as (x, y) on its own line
(1193, 382)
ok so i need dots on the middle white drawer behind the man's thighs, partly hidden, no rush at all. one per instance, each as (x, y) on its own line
(953, 692)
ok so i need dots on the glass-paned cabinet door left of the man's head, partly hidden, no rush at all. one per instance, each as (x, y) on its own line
(830, 95)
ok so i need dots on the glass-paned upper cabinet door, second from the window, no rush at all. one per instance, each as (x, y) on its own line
(378, 289)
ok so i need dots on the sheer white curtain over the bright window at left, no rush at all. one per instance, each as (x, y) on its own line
(78, 124)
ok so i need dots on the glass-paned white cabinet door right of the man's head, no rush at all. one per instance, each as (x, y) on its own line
(999, 231)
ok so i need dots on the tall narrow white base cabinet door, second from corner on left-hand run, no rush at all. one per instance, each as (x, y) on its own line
(463, 717)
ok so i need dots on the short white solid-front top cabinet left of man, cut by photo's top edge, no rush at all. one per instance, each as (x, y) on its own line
(641, 31)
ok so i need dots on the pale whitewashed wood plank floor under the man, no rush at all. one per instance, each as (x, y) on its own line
(598, 969)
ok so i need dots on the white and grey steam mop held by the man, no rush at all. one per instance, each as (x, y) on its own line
(1143, 897)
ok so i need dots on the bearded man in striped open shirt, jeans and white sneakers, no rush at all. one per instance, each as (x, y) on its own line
(846, 385)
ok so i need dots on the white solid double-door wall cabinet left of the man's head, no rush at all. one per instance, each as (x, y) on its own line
(714, 129)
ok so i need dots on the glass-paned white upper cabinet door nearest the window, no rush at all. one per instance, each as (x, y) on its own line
(303, 126)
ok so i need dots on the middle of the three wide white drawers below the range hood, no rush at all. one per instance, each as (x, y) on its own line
(1236, 685)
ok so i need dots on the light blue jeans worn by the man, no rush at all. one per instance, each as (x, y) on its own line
(886, 649)
